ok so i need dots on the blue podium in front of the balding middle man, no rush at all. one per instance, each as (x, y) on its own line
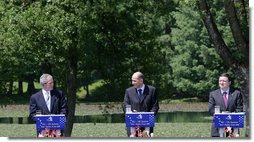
(139, 119)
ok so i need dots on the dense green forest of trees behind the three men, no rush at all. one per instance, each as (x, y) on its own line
(82, 41)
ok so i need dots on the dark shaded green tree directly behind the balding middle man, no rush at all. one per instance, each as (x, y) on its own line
(128, 38)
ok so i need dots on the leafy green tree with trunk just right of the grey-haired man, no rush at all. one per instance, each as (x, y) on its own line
(45, 33)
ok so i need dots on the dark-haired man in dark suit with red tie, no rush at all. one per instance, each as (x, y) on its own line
(227, 98)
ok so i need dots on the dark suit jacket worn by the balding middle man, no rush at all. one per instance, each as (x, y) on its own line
(148, 102)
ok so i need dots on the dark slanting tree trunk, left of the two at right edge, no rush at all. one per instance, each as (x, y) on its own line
(241, 70)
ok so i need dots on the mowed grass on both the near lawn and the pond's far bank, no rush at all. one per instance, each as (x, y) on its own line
(111, 130)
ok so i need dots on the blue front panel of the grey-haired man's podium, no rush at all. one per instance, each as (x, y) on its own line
(50, 122)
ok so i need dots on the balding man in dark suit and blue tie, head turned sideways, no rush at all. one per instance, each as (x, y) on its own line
(141, 97)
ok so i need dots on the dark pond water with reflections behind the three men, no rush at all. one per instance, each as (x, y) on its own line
(119, 118)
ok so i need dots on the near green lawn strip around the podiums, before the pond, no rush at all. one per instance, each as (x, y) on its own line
(115, 130)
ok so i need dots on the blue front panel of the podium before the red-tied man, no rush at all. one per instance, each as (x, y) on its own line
(234, 120)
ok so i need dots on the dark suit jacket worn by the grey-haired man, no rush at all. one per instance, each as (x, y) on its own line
(37, 102)
